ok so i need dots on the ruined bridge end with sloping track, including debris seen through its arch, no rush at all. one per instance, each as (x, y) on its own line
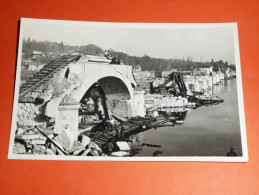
(74, 88)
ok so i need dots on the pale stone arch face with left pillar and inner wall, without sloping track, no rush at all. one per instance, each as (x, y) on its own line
(115, 81)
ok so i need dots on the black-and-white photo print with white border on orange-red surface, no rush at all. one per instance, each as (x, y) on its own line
(128, 92)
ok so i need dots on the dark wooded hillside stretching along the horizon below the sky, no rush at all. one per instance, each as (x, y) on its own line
(54, 49)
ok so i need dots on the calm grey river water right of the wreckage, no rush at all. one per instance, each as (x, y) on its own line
(207, 130)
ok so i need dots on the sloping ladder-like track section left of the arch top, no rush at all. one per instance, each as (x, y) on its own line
(47, 72)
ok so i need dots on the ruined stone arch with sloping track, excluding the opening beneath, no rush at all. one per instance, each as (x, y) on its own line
(62, 83)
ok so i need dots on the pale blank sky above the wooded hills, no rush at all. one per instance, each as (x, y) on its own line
(199, 41)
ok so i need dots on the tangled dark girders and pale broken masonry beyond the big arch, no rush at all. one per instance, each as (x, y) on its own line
(178, 90)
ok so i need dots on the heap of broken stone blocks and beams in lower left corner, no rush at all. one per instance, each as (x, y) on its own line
(36, 141)
